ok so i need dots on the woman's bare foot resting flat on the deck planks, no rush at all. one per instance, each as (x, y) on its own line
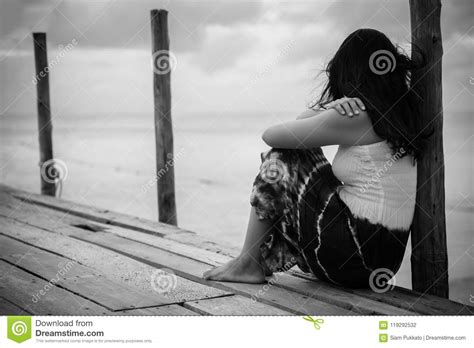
(239, 270)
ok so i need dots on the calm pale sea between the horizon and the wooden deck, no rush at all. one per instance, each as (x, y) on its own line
(110, 164)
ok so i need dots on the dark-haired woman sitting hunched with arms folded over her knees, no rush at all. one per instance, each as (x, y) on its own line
(344, 222)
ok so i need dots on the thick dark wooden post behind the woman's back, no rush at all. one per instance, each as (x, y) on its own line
(429, 260)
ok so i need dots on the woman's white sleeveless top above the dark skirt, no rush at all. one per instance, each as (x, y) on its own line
(377, 185)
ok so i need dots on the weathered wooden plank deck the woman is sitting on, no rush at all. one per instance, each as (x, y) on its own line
(64, 258)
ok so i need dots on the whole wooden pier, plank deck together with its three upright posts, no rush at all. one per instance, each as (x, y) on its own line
(105, 237)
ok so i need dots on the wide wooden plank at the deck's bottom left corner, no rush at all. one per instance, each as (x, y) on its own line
(21, 288)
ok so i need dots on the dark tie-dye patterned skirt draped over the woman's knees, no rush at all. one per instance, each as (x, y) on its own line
(313, 228)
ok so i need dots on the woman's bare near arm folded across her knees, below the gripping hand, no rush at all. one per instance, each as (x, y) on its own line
(325, 128)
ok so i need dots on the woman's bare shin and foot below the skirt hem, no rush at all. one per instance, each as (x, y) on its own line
(247, 267)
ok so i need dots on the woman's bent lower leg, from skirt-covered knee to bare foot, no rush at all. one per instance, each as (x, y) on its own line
(276, 207)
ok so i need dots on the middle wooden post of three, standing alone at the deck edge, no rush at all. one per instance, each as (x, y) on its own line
(162, 66)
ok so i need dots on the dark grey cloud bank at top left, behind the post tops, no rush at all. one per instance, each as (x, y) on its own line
(115, 24)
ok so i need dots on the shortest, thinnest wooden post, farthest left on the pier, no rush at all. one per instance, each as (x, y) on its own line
(45, 128)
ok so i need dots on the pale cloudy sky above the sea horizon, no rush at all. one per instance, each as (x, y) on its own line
(231, 56)
